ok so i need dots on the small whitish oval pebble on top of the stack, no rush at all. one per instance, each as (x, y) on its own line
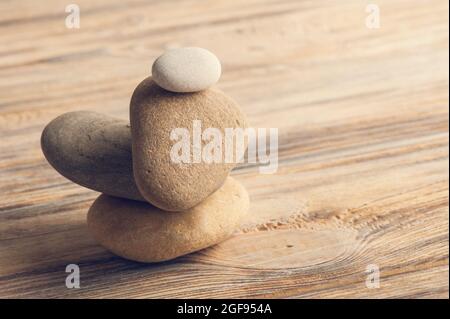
(186, 70)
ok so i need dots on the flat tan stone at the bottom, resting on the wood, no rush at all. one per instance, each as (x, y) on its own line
(141, 232)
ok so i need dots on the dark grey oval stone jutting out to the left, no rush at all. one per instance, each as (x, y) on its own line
(93, 150)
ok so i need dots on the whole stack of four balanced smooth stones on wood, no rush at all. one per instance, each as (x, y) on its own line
(152, 207)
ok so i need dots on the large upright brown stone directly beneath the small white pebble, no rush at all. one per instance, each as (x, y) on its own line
(154, 113)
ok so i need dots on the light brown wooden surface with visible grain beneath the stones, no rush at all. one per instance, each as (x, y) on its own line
(363, 123)
